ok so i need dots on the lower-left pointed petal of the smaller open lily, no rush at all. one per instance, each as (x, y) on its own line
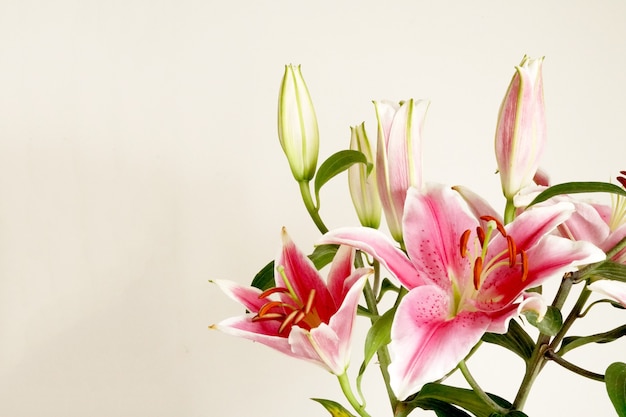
(264, 332)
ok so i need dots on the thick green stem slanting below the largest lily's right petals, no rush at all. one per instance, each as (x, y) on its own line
(538, 359)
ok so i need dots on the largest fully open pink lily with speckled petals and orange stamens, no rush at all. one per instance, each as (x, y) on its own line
(464, 279)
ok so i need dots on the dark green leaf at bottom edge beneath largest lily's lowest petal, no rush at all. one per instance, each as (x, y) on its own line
(464, 398)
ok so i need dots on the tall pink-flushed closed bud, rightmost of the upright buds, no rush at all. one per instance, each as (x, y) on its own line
(521, 130)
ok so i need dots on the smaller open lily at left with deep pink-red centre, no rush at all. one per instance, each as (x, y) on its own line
(302, 316)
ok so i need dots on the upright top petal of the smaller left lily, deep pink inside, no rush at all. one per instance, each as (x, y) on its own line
(303, 277)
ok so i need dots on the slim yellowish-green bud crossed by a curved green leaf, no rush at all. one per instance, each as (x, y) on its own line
(363, 188)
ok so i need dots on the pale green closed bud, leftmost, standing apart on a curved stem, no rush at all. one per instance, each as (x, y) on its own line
(297, 125)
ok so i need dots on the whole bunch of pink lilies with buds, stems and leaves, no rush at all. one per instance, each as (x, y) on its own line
(449, 272)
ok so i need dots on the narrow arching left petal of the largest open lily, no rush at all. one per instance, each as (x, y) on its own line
(381, 247)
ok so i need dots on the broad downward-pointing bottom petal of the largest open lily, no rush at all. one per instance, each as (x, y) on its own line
(425, 342)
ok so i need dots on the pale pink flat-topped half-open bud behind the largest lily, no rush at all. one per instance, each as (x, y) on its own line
(398, 156)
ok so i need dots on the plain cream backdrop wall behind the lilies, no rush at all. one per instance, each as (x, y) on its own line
(139, 159)
